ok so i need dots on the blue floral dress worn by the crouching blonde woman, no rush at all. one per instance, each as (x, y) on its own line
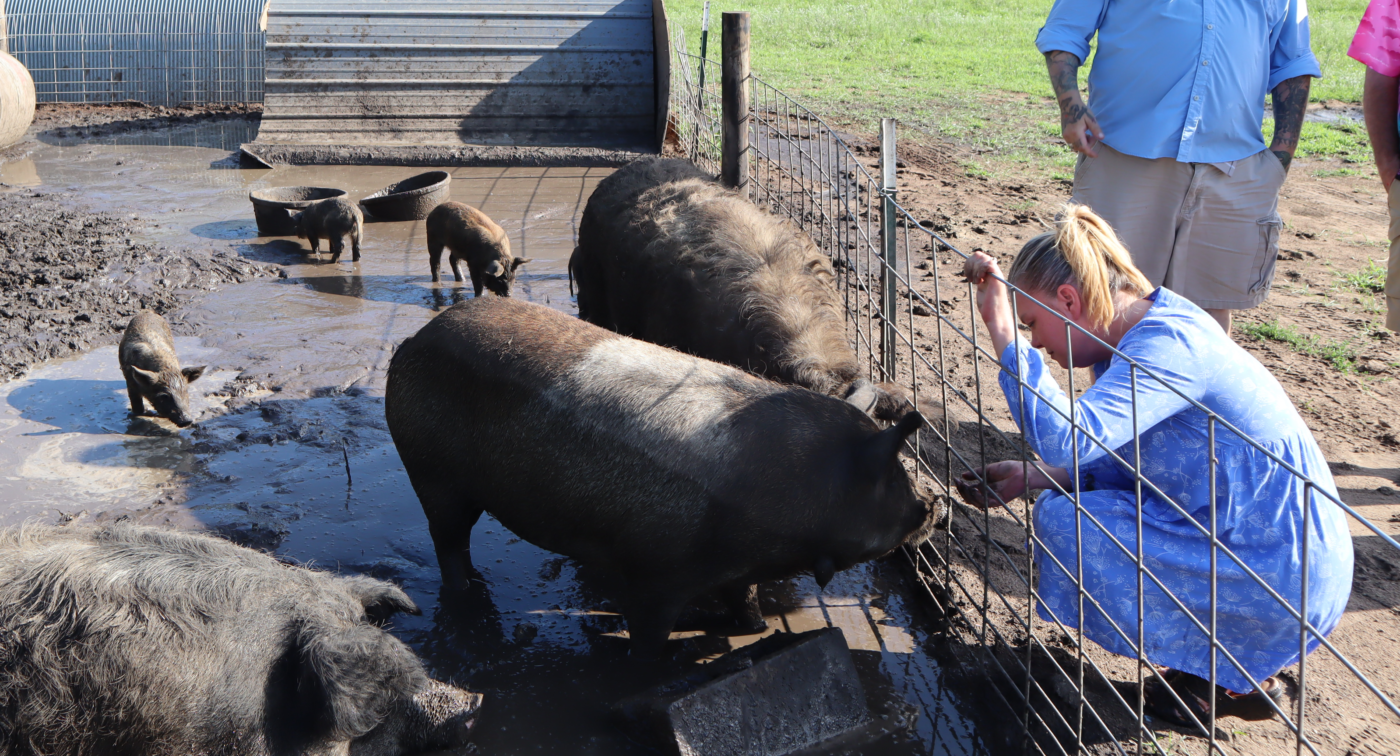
(1259, 505)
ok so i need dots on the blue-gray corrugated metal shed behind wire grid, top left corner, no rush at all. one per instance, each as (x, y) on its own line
(160, 52)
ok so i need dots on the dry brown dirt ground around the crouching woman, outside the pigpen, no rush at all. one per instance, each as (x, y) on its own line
(1346, 391)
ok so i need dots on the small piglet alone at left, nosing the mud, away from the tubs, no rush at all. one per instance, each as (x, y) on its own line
(152, 370)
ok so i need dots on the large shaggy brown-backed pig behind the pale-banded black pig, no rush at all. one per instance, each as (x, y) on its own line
(670, 257)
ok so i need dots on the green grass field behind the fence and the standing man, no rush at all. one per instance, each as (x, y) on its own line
(965, 71)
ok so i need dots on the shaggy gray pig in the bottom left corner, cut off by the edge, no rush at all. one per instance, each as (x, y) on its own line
(143, 642)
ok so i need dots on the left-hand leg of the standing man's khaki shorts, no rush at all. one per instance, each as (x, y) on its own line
(1140, 199)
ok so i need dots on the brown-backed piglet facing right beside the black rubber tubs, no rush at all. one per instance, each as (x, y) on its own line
(472, 237)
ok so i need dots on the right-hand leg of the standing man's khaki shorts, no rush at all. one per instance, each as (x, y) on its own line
(1228, 239)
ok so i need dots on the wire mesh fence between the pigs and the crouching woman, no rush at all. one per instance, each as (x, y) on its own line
(981, 570)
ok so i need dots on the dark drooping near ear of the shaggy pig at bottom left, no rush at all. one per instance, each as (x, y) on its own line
(351, 677)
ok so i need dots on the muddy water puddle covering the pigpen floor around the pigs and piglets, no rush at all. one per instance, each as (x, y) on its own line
(292, 453)
